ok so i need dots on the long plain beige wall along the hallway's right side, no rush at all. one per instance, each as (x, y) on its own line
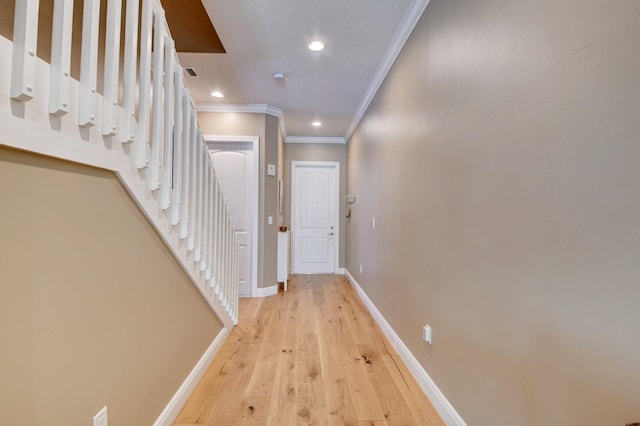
(501, 158)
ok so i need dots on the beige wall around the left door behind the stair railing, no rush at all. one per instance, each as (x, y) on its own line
(266, 128)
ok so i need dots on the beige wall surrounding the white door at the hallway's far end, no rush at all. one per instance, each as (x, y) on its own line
(317, 152)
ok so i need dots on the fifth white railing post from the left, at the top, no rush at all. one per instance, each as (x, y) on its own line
(127, 123)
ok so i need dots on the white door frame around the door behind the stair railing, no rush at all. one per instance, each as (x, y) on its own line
(255, 195)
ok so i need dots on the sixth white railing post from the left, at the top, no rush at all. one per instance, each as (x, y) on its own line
(141, 141)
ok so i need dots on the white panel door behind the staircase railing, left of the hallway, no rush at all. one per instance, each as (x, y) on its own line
(233, 163)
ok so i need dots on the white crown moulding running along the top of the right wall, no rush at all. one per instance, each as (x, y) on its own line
(402, 35)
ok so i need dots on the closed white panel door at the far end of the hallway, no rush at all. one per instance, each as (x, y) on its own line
(314, 216)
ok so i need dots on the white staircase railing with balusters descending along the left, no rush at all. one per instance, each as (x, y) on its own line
(143, 126)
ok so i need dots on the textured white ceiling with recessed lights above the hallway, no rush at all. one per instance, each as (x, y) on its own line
(333, 86)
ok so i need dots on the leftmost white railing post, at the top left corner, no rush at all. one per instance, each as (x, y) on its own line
(25, 43)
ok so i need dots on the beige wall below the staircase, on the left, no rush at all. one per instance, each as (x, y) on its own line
(94, 309)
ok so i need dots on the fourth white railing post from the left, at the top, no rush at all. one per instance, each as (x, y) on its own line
(111, 68)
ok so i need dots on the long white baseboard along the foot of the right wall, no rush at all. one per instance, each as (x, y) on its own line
(437, 398)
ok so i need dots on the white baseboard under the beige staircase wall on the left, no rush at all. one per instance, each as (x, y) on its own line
(173, 408)
